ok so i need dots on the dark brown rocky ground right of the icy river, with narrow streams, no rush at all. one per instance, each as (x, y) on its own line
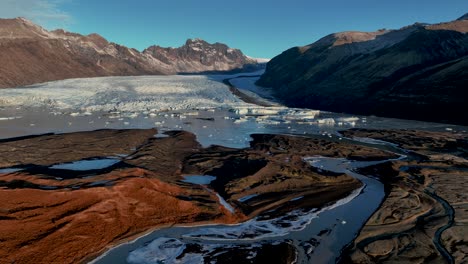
(424, 216)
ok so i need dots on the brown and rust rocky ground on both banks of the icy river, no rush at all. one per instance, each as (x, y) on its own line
(71, 214)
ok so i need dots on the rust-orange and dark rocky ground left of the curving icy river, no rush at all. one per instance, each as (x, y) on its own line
(69, 213)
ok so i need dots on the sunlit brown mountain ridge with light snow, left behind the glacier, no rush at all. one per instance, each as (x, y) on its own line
(31, 54)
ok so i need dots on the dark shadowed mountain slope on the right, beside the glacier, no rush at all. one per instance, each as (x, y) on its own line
(416, 72)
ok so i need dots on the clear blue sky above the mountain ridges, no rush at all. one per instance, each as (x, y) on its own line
(260, 28)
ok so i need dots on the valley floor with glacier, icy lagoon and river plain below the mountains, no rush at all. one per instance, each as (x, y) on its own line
(303, 173)
